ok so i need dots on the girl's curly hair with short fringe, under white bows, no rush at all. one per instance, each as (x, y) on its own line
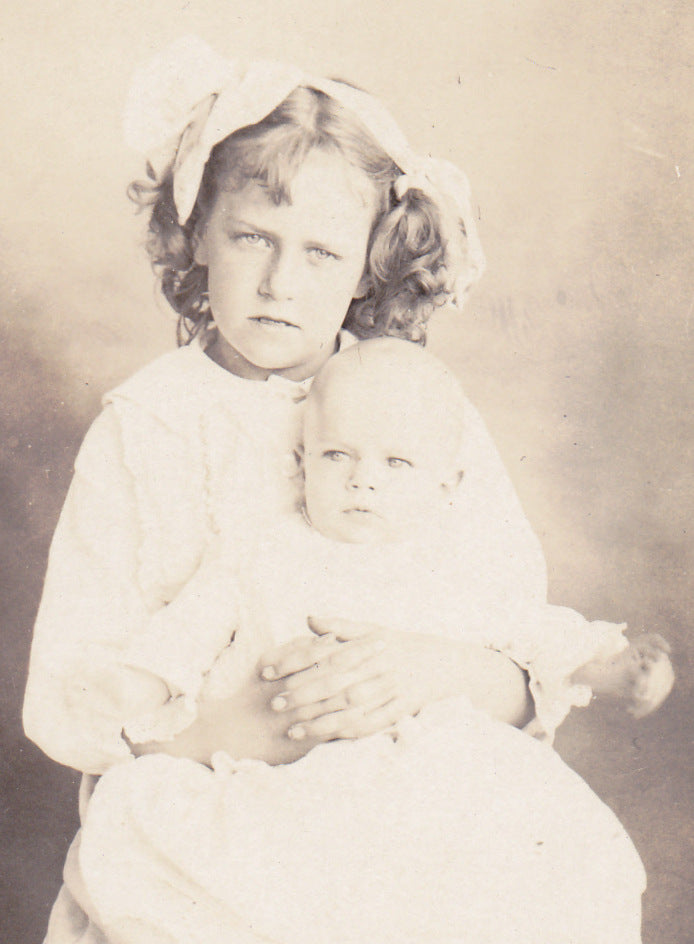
(405, 272)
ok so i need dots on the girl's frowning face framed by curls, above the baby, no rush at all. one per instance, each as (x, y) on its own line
(281, 277)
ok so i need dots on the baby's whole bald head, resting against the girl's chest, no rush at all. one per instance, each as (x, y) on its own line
(384, 423)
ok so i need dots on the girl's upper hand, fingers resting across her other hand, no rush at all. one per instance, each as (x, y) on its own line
(357, 679)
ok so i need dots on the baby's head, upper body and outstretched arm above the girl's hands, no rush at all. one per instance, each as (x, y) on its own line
(383, 430)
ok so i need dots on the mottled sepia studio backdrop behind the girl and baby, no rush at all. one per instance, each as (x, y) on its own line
(574, 122)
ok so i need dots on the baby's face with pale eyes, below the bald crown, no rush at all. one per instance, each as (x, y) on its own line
(375, 472)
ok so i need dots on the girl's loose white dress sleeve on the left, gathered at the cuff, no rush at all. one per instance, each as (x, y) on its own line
(110, 655)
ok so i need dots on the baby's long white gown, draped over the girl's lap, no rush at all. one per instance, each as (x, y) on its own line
(450, 827)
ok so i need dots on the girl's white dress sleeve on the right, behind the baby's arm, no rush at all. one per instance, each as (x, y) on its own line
(549, 642)
